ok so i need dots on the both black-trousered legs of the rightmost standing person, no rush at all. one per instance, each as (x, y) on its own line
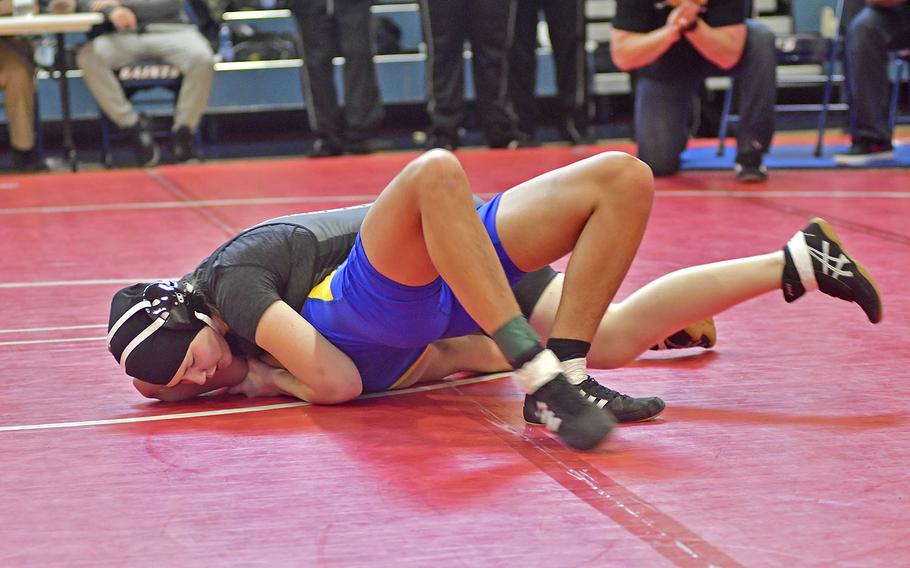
(566, 28)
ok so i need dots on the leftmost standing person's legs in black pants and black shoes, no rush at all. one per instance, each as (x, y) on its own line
(339, 28)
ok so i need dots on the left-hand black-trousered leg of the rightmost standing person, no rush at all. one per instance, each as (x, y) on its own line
(523, 67)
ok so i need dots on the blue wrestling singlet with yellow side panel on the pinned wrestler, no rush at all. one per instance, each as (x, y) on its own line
(385, 327)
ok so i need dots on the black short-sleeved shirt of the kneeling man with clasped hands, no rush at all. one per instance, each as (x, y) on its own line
(643, 16)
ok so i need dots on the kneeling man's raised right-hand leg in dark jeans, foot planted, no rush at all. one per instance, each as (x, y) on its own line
(756, 76)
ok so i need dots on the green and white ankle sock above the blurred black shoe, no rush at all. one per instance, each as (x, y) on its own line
(534, 366)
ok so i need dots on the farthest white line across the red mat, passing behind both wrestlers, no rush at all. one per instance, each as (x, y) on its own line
(365, 198)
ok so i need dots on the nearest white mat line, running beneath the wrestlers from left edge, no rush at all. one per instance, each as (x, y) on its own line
(246, 409)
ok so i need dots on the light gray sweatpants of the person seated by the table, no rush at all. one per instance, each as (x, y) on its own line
(180, 45)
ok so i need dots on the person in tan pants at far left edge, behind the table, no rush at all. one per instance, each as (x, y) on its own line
(17, 80)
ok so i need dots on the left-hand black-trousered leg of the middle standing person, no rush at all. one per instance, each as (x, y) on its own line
(444, 31)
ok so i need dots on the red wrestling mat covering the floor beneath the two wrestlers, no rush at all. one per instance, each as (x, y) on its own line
(786, 445)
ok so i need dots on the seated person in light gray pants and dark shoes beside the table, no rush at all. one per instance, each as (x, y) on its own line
(146, 29)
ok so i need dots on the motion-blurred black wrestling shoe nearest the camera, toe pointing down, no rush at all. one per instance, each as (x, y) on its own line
(579, 424)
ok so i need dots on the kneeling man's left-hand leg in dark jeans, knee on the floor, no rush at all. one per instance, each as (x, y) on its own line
(663, 112)
